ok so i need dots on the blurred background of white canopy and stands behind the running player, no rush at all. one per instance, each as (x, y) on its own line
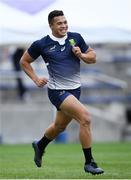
(25, 110)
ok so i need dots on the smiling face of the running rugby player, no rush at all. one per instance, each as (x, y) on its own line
(59, 26)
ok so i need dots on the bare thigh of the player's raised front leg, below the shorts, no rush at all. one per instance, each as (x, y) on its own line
(73, 107)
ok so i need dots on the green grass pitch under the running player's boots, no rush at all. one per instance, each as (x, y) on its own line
(65, 161)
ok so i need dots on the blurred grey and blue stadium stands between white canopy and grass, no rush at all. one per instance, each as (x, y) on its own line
(104, 84)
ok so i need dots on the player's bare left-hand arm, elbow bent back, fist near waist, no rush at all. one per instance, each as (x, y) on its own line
(25, 63)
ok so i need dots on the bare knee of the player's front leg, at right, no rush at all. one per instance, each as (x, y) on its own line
(85, 119)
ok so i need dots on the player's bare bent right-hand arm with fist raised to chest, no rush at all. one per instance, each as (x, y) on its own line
(88, 57)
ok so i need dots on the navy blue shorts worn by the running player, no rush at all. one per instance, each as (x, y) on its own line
(58, 96)
